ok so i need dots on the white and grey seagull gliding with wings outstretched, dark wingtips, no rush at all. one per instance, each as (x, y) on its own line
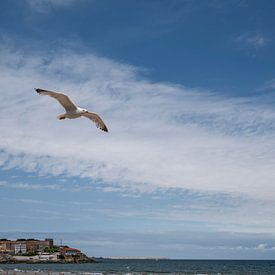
(73, 111)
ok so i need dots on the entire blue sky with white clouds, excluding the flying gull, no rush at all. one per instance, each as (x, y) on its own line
(187, 91)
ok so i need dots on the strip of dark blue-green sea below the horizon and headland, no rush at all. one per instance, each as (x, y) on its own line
(150, 266)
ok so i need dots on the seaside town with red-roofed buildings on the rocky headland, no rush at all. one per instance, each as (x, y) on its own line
(39, 251)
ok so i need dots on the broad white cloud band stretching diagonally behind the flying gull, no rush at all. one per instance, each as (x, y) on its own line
(161, 135)
